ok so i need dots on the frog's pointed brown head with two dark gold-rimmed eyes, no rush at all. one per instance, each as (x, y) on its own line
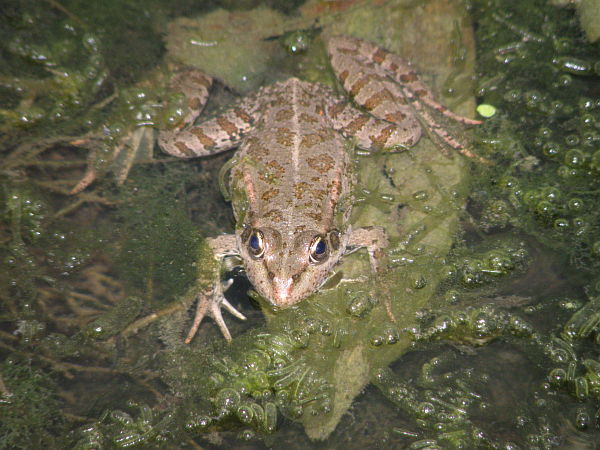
(287, 269)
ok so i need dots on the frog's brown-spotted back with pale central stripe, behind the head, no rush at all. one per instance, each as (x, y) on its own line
(294, 166)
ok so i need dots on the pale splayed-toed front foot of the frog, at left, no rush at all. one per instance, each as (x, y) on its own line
(210, 303)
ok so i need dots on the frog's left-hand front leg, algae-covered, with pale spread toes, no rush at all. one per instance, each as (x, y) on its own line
(210, 287)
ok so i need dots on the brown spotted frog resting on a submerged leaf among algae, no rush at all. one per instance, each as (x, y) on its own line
(291, 178)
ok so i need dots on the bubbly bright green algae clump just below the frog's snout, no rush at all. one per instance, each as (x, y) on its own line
(268, 379)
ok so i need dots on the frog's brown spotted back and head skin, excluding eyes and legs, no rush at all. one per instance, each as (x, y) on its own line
(293, 168)
